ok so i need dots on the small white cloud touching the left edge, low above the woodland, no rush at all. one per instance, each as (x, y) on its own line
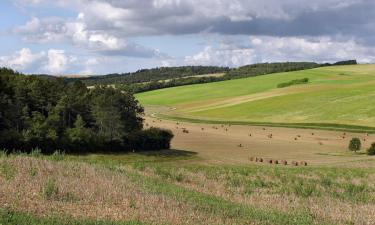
(22, 59)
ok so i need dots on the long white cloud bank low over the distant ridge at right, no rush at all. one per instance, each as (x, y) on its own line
(277, 49)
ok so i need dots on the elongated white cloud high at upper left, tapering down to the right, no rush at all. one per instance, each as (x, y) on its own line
(77, 33)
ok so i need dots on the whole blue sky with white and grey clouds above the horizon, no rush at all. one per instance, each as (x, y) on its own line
(90, 37)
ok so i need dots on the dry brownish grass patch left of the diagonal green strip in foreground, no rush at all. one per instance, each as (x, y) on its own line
(89, 192)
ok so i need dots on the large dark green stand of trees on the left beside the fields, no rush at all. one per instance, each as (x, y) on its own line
(50, 114)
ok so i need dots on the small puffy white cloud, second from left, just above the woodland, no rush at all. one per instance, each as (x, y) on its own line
(57, 61)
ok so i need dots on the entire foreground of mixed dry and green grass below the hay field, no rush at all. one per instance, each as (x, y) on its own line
(164, 189)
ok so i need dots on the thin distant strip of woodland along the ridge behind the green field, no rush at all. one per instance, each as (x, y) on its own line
(165, 77)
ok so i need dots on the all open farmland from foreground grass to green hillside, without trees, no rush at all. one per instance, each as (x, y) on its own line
(208, 177)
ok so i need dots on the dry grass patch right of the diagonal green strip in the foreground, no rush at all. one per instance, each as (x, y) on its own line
(265, 193)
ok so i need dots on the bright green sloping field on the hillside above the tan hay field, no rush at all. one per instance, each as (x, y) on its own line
(342, 95)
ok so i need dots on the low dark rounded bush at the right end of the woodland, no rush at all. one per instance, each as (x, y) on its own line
(151, 139)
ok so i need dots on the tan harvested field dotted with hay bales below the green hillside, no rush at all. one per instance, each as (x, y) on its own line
(233, 144)
